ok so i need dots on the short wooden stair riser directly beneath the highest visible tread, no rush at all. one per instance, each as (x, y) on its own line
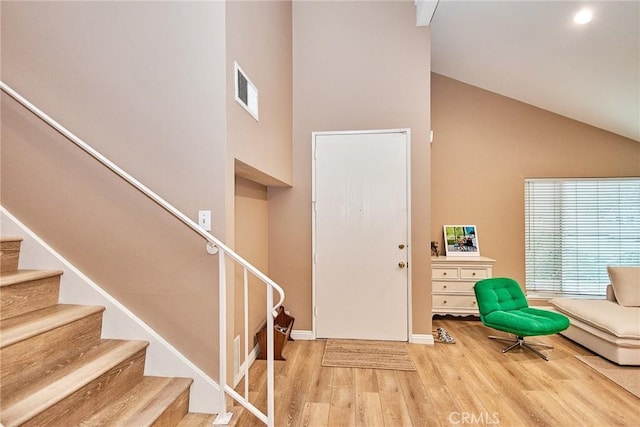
(28, 296)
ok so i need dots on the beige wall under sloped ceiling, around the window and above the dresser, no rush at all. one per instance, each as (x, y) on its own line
(485, 145)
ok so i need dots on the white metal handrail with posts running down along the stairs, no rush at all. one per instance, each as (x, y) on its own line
(212, 243)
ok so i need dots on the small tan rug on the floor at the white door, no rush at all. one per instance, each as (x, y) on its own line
(367, 354)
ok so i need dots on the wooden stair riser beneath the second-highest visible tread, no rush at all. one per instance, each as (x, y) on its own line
(39, 355)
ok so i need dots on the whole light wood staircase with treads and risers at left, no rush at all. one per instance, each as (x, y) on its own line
(56, 370)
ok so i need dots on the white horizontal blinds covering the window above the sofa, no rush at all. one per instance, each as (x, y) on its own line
(575, 228)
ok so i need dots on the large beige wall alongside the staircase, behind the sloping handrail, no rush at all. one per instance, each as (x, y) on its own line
(144, 83)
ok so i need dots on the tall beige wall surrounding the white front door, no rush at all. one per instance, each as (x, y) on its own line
(357, 65)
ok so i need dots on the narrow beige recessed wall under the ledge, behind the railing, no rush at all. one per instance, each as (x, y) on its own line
(252, 242)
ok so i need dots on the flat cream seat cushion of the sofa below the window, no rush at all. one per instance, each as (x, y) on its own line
(608, 316)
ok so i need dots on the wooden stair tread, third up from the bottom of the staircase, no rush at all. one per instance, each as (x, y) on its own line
(30, 324)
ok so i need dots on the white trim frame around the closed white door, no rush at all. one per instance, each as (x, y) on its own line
(407, 133)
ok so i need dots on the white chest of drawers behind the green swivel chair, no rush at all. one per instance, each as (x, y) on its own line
(452, 283)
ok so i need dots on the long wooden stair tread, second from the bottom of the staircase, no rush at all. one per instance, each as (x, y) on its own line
(47, 391)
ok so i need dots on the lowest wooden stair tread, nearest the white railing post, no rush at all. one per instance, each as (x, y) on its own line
(142, 404)
